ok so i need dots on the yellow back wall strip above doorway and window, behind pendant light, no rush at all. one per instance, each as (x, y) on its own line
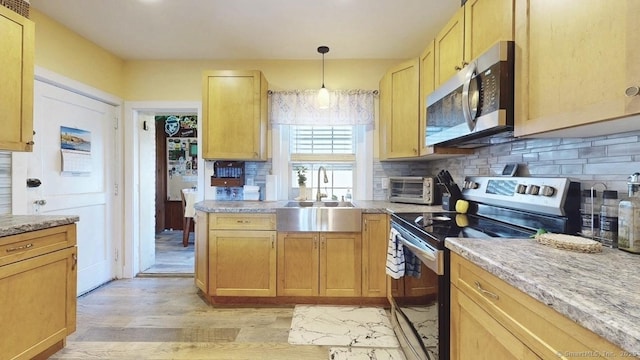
(182, 80)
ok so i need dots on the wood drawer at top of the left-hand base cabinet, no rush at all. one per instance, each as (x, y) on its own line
(34, 243)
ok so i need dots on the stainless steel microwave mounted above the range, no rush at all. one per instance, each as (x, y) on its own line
(475, 107)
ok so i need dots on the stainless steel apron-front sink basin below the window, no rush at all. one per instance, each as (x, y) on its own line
(328, 216)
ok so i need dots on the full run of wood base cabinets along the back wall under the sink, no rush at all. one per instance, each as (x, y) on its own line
(241, 255)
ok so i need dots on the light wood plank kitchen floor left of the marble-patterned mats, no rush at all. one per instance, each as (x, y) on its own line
(164, 318)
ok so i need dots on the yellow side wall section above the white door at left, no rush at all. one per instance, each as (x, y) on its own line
(66, 53)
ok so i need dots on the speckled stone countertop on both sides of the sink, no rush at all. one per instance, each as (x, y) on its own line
(367, 206)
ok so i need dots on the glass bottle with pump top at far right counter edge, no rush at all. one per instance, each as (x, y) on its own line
(629, 218)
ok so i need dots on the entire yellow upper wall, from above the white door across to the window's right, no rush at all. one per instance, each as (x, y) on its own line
(64, 52)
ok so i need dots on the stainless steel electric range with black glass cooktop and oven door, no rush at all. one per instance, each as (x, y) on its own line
(499, 207)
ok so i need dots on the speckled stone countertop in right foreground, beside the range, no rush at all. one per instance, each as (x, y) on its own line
(599, 291)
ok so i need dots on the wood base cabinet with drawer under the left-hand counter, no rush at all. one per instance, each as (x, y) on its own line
(37, 292)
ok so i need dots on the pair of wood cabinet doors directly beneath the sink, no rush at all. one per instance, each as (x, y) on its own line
(319, 264)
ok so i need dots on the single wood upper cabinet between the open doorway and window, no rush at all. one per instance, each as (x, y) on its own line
(234, 112)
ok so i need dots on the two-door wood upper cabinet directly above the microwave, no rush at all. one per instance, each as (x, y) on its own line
(472, 30)
